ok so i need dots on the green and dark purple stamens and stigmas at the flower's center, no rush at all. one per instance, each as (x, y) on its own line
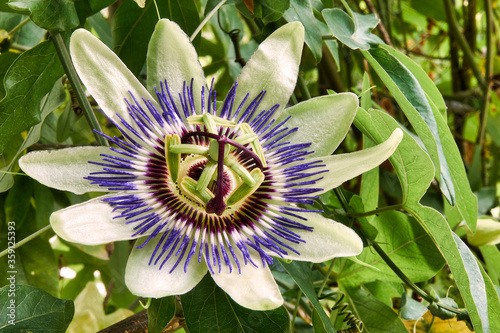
(225, 180)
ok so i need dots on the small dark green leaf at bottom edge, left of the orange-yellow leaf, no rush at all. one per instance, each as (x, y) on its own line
(376, 316)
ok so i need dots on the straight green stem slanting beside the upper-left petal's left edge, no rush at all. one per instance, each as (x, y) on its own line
(65, 59)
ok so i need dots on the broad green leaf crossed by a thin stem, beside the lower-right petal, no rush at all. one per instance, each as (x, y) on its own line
(408, 246)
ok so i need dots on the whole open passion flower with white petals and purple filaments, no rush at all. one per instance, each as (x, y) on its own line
(207, 188)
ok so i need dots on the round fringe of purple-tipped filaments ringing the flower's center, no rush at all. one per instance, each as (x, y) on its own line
(201, 224)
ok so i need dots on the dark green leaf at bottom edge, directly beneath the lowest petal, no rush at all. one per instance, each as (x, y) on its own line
(208, 309)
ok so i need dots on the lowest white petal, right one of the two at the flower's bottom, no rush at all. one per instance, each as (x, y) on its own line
(254, 288)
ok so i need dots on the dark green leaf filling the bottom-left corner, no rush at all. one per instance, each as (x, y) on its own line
(35, 311)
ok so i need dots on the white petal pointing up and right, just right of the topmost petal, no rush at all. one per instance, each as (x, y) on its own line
(273, 67)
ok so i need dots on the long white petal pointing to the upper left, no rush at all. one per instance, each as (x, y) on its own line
(106, 77)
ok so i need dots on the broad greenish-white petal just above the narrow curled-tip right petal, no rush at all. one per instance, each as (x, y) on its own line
(324, 121)
